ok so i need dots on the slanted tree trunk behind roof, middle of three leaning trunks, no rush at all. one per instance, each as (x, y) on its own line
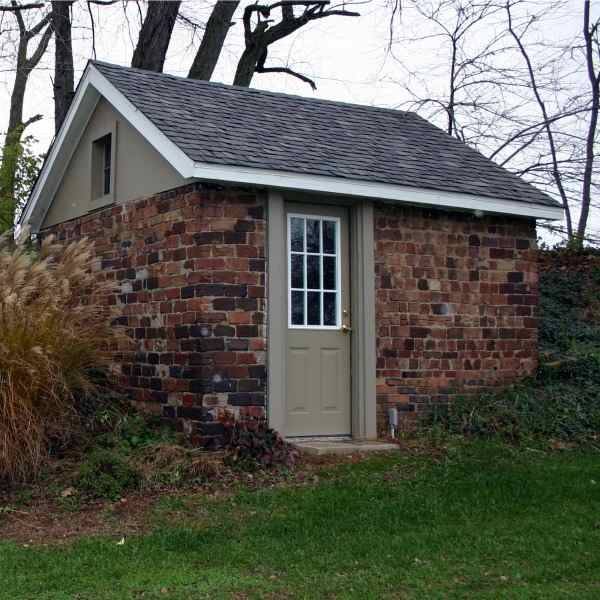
(215, 33)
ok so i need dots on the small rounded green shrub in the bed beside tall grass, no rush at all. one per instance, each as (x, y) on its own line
(106, 473)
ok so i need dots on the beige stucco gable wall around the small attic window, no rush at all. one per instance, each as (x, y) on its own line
(139, 170)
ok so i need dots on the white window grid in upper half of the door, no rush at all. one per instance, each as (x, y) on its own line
(321, 254)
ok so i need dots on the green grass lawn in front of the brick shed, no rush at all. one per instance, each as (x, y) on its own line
(485, 521)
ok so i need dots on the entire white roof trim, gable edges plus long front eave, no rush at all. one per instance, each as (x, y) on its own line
(94, 85)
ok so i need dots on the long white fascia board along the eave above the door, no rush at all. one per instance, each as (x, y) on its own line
(374, 190)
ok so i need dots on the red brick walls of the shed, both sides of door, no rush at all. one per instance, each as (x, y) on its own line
(456, 300)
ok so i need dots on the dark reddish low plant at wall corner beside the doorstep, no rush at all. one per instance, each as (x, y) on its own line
(252, 443)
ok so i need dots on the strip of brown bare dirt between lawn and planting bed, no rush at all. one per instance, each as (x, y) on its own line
(41, 514)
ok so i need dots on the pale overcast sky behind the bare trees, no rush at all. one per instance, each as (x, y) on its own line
(345, 56)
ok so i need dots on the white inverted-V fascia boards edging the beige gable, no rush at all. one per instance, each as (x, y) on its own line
(92, 86)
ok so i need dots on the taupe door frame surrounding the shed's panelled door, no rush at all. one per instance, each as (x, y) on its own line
(362, 277)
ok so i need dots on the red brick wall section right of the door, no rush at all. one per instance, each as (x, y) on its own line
(456, 302)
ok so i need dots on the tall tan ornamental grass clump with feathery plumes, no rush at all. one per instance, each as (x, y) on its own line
(49, 340)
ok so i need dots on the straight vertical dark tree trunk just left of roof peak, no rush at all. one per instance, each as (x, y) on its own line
(63, 61)
